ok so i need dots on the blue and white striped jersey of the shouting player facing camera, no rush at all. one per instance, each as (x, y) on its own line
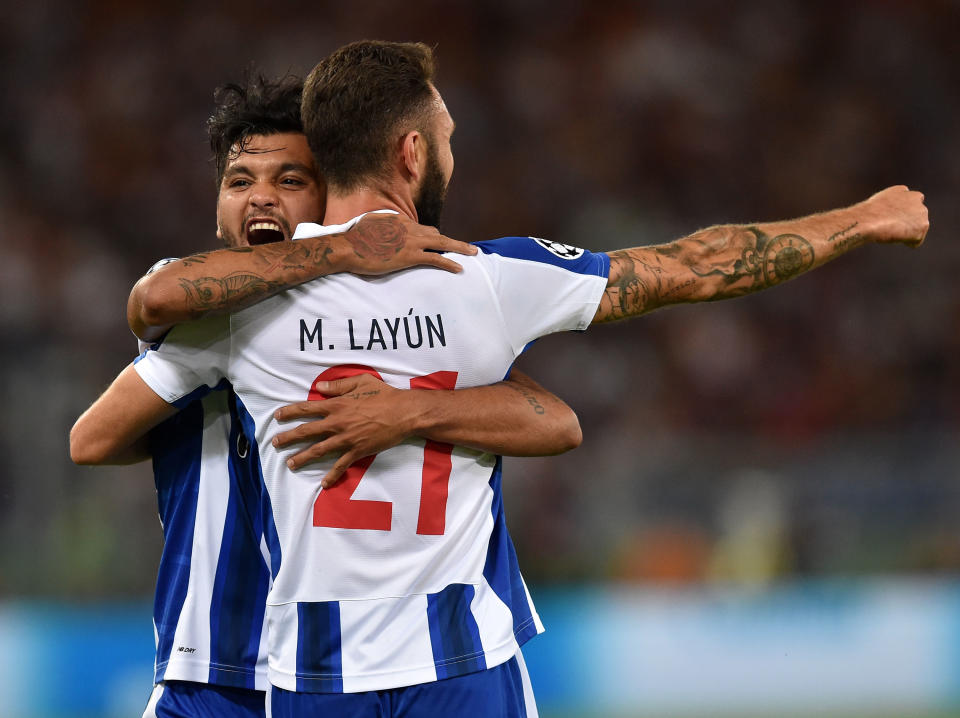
(213, 578)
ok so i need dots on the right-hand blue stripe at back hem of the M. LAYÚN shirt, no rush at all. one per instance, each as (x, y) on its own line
(454, 635)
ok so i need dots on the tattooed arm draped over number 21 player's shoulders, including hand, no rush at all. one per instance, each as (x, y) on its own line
(226, 280)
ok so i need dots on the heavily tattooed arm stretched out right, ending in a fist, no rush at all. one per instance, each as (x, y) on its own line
(731, 260)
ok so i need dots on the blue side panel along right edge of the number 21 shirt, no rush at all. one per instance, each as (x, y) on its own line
(502, 570)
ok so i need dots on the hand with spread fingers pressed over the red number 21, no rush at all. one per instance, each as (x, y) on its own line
(362, 416)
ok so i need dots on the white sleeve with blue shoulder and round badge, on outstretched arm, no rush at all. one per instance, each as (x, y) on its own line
(542, 286)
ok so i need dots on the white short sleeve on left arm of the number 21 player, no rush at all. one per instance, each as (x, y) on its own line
(190, 361)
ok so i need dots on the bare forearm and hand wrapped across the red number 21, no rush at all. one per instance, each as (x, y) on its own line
(364, 416)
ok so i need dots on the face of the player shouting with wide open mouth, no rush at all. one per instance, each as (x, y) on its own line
(268, 188)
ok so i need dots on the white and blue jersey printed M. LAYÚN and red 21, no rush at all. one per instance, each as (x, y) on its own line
(404, 572)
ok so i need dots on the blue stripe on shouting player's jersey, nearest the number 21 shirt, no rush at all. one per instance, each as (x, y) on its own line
(242, 580)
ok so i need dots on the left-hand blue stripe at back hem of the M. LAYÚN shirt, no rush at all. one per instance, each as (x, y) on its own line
(319, 659)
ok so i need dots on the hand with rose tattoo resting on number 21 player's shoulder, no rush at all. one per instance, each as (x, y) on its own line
(382, 243)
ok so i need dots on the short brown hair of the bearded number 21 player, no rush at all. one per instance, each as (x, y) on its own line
(359, 100)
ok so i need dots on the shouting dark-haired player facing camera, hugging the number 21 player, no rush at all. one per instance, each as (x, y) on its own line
(213, 577)
